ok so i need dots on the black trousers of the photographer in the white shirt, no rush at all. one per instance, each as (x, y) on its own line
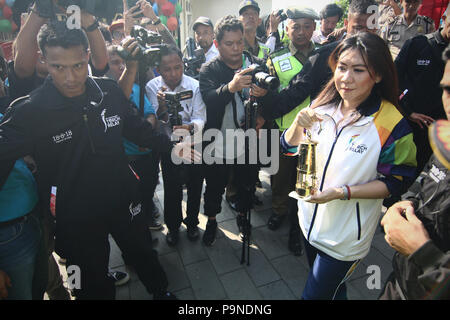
(174, 176)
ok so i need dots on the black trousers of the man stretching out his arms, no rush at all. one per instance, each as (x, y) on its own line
(86, 246)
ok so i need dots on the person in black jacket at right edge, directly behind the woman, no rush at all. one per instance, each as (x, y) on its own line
(420, 69)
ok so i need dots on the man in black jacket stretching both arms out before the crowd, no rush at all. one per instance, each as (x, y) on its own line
(73, 127)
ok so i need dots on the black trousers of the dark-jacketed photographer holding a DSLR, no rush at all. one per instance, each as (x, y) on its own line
(217, 176)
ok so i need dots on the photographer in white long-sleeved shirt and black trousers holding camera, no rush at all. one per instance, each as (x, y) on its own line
(191, 118)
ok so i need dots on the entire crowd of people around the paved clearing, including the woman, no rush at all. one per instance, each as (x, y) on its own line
(88, 124)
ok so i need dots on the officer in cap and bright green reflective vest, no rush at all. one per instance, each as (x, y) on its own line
(286, 64)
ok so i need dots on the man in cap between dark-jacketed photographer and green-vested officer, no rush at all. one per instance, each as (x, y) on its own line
(249, 15)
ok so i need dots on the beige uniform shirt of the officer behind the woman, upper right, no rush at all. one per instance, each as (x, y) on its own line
(396, 31)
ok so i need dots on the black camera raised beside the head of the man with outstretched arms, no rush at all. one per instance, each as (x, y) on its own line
(148, 43)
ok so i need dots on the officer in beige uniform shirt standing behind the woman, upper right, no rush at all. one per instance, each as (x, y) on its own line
(406, 26)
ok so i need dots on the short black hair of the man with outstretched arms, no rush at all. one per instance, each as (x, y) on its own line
(58, 35)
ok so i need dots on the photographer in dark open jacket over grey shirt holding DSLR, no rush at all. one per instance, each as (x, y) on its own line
(224, 84)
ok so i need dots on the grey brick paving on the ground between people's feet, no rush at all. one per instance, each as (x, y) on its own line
(197, 272)
